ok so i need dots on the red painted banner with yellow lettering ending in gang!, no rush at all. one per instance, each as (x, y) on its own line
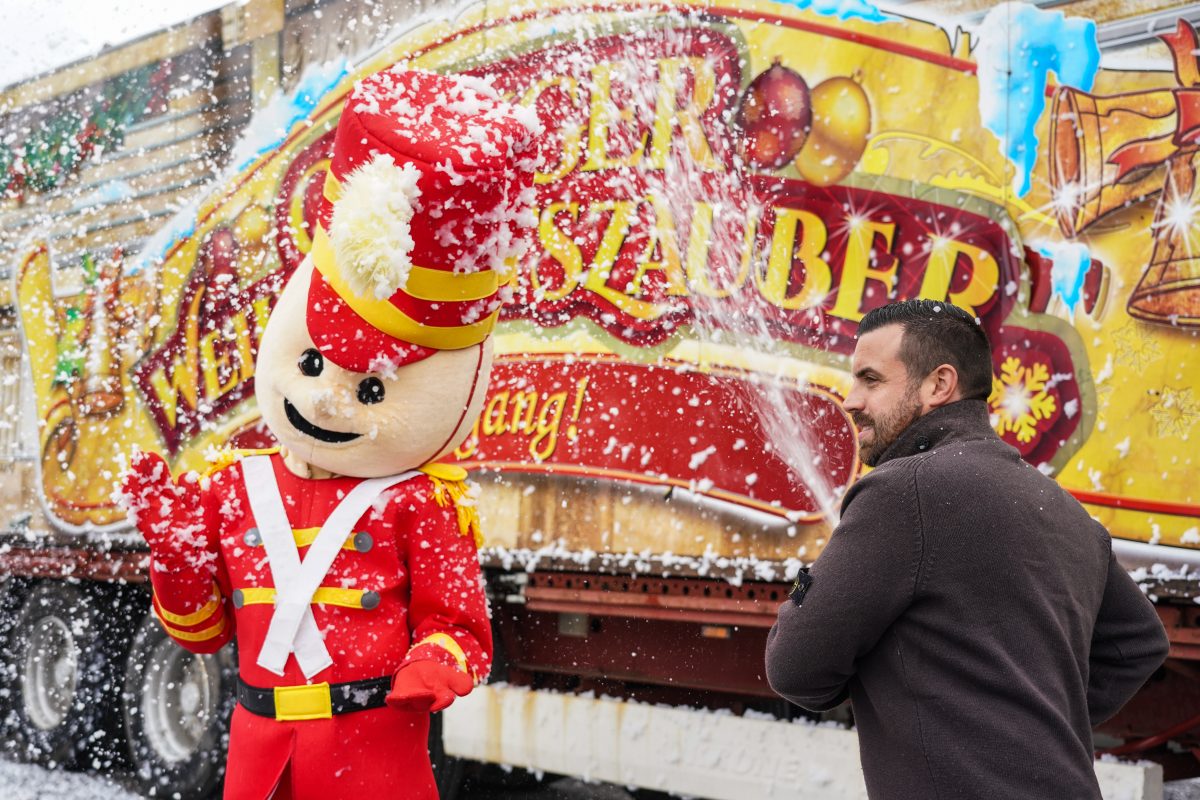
(667, 425)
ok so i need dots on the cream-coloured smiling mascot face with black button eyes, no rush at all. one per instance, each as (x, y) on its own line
(363, 425)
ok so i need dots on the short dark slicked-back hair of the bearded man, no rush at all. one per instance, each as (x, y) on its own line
(938, 333)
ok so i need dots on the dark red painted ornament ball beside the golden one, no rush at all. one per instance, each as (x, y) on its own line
(775, 118)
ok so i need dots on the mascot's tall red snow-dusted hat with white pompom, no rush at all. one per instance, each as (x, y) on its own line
(428, 201)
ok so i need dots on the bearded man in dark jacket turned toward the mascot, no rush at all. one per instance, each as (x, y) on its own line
(968, 606)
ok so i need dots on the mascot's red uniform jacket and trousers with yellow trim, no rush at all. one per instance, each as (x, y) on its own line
(406, 586)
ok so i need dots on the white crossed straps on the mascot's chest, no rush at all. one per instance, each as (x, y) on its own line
(293, 628)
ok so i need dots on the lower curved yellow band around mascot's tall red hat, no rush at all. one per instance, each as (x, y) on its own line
(386, 317)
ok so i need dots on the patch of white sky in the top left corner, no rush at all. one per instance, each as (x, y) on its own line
(44, 34)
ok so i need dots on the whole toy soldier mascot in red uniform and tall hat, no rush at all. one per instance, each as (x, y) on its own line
(345, 562)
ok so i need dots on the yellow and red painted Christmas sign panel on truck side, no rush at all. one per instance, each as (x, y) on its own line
(725, 191)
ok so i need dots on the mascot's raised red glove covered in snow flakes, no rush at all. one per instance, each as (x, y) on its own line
(167, 514)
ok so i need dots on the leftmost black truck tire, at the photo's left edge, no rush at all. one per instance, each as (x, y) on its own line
(63, 658)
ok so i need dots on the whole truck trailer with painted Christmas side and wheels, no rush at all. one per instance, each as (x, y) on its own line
(725, 190)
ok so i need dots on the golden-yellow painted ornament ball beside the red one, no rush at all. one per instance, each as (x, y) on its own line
(842, 124)
